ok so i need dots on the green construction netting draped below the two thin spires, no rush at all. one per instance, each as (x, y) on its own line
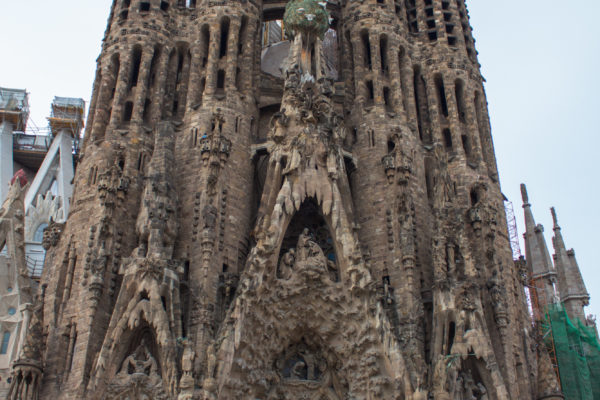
(578, 355)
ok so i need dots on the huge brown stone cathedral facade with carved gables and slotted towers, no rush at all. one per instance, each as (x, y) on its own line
(333, 229)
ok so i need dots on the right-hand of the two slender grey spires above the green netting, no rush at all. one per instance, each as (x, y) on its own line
(570, 282)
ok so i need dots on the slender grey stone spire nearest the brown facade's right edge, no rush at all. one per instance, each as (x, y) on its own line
(537, 255)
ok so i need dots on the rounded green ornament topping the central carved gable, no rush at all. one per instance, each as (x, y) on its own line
(306, 16)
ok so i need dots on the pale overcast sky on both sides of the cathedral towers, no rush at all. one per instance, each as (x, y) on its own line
(541, 59)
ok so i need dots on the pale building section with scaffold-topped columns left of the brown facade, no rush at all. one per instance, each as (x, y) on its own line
(43, 164)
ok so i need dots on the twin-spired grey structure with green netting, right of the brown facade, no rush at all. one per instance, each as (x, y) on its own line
(558, 295)
